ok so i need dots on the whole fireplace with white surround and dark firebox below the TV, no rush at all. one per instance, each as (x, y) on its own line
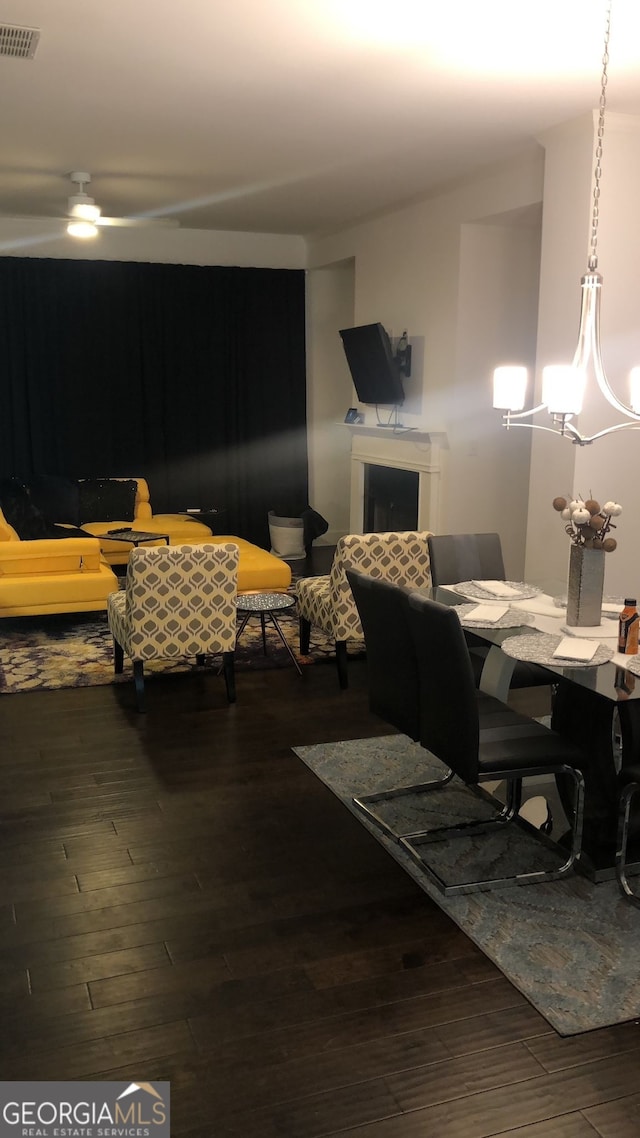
(381, 501)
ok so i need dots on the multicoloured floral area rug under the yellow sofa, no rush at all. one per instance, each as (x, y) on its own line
(58, 652)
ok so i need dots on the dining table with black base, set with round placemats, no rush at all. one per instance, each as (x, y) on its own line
(596, 705)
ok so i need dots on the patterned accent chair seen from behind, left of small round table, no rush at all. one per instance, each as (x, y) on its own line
(178, 601)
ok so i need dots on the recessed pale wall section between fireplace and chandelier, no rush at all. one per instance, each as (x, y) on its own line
(497, 323)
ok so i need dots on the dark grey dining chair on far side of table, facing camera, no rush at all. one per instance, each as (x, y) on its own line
(456, 558)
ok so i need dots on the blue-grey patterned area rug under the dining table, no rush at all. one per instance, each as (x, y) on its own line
(569, 946)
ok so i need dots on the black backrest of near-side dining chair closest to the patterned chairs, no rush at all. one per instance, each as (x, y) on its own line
(392, 669)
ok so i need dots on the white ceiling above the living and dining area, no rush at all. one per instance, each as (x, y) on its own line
(292, 117)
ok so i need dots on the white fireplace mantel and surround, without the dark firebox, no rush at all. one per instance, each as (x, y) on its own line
(416, 450)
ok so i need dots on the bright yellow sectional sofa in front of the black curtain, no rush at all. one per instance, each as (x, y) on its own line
(76, 574)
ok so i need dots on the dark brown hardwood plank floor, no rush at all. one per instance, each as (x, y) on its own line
(182, 900)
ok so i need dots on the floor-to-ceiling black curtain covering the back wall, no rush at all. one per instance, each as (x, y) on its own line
(192, 377)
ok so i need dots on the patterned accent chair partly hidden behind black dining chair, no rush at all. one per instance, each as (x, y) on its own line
(401, 558)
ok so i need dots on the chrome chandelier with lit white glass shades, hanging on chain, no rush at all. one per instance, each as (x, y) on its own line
(563, 385)
